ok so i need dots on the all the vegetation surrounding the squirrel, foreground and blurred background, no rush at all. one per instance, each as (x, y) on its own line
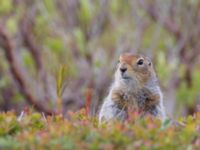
(57, 60)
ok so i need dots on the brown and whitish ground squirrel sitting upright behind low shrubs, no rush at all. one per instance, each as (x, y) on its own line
(135, 85)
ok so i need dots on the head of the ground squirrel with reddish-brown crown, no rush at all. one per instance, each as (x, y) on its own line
(135, 68)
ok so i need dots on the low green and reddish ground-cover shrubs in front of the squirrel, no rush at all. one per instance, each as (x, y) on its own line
(79, 131)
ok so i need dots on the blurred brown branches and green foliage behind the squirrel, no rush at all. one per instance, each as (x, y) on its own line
(66, 50)
